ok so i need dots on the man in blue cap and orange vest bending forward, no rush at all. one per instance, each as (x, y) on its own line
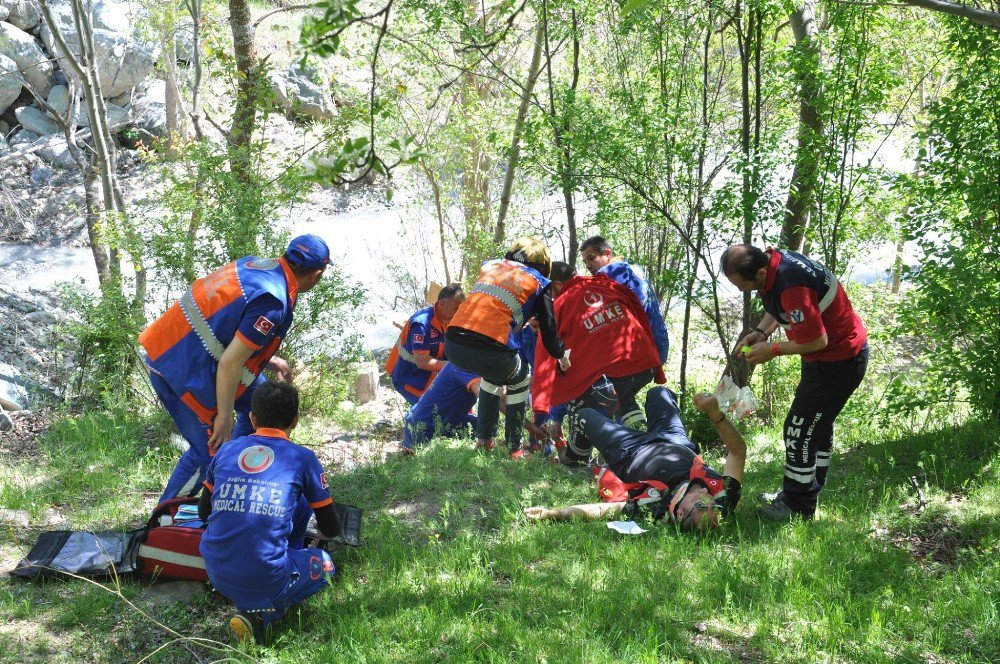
(206, 354)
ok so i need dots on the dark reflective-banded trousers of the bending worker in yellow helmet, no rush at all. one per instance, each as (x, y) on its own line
(497, 367)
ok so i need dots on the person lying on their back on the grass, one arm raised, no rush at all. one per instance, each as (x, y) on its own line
(664, 458)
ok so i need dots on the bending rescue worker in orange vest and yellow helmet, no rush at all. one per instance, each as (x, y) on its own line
(484, 336)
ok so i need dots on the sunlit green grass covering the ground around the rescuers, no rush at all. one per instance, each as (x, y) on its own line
(450, 571)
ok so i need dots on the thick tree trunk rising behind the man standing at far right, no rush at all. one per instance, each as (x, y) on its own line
(810, 133)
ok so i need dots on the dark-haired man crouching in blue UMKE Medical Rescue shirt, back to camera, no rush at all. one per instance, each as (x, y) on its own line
(260, 491)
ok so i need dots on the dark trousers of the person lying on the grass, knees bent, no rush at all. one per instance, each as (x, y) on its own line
(620, 446)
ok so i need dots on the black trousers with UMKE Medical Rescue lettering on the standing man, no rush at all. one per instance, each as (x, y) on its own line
(822, 393)
